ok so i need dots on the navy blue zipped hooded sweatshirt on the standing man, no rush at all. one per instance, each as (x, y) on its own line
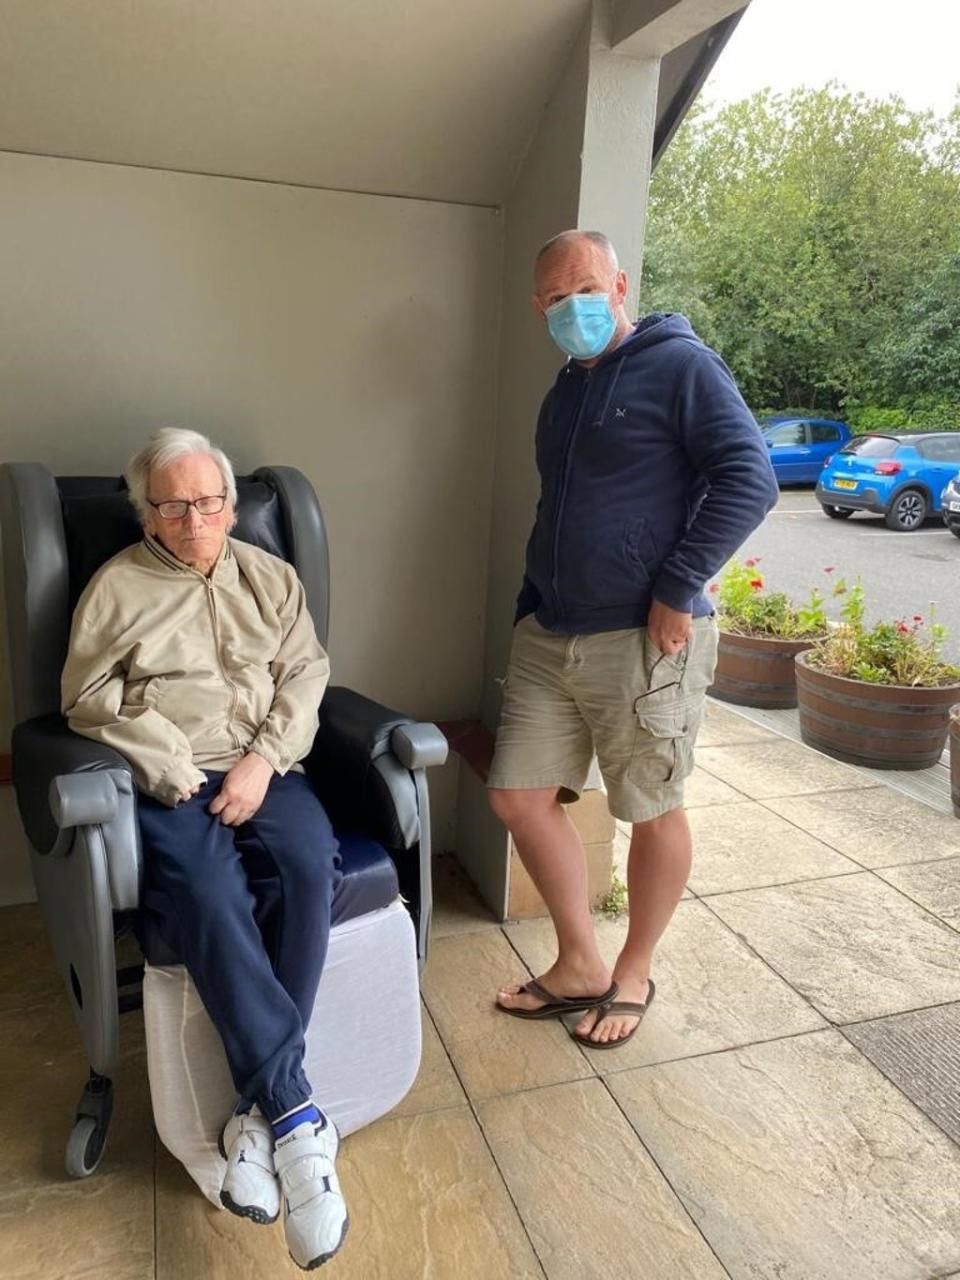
(653, 473)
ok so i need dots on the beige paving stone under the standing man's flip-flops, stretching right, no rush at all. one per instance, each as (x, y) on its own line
(712, 993)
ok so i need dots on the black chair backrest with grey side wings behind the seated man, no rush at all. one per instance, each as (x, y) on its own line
(58, 532)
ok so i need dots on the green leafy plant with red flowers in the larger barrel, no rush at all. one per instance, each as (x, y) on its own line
(904, 652)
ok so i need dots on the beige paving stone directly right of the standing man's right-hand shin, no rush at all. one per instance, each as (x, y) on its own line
(747, 847)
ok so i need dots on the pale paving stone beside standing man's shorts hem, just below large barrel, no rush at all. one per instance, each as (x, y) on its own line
(779, 769)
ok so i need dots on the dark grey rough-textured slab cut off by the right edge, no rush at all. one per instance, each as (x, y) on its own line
(921, 1054)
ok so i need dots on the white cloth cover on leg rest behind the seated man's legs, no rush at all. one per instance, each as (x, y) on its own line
(363, 1045)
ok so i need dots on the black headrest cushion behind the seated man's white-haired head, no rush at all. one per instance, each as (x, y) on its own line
(99, 522)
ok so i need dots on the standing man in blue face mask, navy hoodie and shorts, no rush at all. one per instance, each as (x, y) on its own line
(653, 473)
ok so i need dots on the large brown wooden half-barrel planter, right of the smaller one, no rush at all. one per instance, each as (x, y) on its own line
(877, 726)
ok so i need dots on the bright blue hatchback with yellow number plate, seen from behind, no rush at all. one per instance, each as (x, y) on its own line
(899, 476)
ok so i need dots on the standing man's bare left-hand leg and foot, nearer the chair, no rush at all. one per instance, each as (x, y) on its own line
(554, 854)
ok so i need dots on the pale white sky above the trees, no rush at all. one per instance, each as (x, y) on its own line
(877, 47)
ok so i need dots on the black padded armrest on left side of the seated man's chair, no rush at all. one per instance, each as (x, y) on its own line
(44, 749)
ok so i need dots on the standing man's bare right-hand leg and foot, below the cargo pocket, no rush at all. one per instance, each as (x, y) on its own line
(659, 867)
